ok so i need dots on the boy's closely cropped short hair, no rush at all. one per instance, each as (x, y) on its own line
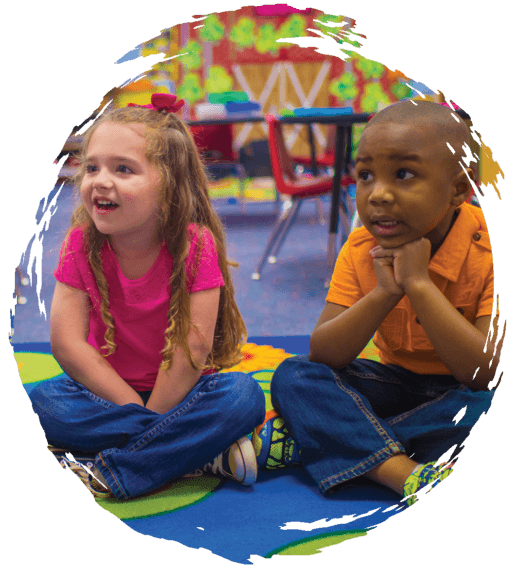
(443, 121)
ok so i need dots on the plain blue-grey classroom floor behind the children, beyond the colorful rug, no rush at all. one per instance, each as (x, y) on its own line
(287, 301)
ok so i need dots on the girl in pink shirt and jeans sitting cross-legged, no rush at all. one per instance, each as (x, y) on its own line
(143, 318)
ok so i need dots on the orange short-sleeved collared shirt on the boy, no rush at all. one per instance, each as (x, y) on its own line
(462, 268)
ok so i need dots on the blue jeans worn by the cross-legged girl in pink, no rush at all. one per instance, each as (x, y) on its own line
(138, 449)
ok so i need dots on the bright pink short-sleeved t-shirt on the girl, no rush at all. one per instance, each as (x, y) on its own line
(139, 307)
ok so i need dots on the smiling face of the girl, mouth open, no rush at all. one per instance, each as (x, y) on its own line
(120, 186)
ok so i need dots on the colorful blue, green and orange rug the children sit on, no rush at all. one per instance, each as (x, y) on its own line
(282, 514)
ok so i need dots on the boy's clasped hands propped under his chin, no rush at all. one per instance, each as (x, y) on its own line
(410, 261)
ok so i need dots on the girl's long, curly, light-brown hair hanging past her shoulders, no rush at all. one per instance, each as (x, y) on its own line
(184, 199)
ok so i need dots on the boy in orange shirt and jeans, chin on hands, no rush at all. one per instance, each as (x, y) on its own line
(418, 276)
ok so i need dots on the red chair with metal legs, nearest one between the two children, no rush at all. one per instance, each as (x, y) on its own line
(294, 190)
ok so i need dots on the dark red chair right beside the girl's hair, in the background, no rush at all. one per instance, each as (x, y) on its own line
(214, 142)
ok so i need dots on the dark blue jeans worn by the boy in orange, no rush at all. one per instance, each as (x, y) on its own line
(350, 420)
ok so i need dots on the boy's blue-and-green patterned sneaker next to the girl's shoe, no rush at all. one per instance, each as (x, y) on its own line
(273, 444)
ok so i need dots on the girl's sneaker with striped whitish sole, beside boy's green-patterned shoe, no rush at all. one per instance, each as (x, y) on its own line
(237, 463)
